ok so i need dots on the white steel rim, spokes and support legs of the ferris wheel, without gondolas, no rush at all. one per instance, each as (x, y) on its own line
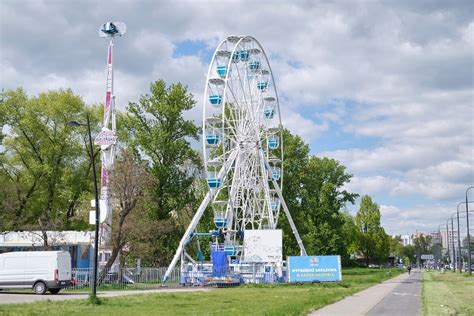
(229, 160)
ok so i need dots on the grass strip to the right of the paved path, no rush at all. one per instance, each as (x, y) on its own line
(448, 293)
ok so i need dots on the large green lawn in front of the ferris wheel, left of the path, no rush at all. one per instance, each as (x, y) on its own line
(267, 299)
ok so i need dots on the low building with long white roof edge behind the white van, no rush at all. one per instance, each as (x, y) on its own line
(78, 244)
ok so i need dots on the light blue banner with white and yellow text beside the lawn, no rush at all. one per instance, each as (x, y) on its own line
(314, 269)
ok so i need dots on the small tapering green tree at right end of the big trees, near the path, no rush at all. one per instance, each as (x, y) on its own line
(372, 241)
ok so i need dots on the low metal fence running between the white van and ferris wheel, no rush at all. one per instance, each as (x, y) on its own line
(125, 278)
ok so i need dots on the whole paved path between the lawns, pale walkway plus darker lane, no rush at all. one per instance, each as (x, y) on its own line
(397, 296)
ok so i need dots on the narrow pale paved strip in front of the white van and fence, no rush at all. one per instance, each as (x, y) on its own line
(18, 298)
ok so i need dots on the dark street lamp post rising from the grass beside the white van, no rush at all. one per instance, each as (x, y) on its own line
(97, 210)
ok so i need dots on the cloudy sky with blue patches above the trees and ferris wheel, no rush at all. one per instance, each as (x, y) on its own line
(384, 87)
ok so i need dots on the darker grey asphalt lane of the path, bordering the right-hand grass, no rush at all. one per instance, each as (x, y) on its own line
(404, 300)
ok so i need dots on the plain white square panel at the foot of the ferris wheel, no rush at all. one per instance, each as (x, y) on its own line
(263, 246)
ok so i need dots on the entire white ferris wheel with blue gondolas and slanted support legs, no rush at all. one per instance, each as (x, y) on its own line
(242, 146)
